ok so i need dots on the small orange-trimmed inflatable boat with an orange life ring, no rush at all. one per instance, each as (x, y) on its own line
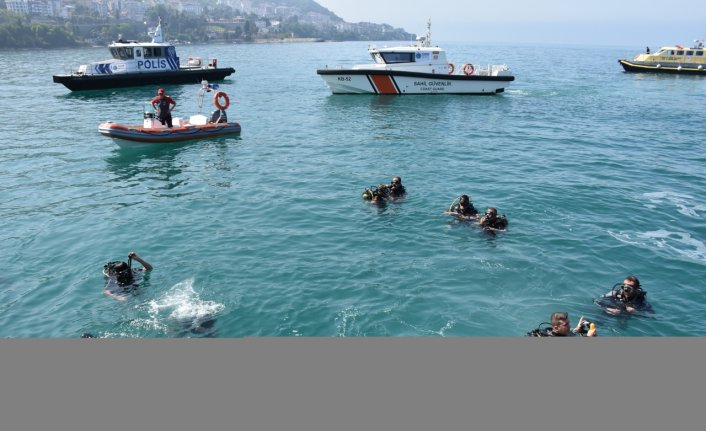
(152, 131)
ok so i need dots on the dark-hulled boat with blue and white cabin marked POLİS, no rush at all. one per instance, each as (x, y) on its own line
(142, 63)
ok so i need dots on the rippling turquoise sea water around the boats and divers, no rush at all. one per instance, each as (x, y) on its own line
(600, 173)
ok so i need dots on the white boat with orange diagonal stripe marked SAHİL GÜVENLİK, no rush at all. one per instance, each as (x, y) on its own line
(416, 69)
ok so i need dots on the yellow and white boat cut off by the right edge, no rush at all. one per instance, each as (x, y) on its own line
(670, 59)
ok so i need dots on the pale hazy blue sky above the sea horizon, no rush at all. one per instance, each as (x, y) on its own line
(586, 22)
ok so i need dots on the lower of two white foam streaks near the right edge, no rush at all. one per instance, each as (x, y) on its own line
(679, 245)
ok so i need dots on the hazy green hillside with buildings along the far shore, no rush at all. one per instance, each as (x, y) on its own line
(223, 21)
